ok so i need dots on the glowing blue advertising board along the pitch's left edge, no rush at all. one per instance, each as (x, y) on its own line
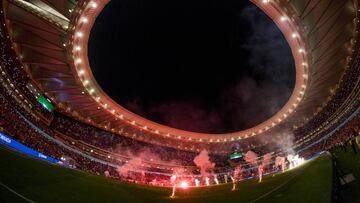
(22, 148)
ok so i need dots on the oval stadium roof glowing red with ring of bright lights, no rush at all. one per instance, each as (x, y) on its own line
(51, 36)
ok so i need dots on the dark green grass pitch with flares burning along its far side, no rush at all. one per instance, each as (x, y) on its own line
(44, 182)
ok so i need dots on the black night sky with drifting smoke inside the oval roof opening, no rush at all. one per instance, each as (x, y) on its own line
(210, 66)
